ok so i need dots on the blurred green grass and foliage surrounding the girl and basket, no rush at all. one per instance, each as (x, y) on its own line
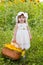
(8, 12)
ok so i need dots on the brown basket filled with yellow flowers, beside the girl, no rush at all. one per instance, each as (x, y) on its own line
(11, 51)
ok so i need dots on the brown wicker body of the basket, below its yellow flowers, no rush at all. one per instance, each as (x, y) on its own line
(13, 54)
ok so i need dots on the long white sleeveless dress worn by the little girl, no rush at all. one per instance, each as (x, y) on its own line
(22, 36)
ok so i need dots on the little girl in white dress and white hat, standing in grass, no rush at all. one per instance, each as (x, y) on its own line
(22, 32)
